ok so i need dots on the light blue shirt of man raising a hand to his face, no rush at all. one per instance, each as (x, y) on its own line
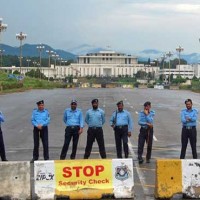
(143, 119)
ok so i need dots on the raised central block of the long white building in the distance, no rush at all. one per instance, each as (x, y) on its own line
(106, 63)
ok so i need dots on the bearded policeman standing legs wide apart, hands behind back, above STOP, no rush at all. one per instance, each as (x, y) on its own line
(95, 118)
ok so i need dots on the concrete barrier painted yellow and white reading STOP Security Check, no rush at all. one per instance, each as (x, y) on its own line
(84, 179)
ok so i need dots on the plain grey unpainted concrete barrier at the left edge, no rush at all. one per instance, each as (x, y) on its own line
(15, 180)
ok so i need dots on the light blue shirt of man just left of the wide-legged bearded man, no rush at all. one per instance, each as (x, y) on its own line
(73, 117)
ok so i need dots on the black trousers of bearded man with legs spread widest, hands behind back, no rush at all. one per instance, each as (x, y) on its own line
(92, 134)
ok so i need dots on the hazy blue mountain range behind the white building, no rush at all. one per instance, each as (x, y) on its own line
(30, 50)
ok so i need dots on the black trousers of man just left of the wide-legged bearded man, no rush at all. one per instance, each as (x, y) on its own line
(70, 132)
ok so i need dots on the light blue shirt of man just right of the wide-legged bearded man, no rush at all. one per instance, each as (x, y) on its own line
(122, 118)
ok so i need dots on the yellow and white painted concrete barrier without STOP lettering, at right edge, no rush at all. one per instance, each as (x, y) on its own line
(176, 177)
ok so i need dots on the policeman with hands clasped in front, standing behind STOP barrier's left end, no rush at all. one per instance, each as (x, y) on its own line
(40, 120)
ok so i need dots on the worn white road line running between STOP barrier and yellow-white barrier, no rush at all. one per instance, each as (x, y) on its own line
(139, 171)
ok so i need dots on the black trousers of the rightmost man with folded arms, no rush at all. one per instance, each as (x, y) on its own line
(188, 134)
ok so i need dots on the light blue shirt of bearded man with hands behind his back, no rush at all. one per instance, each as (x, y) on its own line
(95, 118)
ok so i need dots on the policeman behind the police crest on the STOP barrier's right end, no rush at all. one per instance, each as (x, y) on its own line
(122, 124)
